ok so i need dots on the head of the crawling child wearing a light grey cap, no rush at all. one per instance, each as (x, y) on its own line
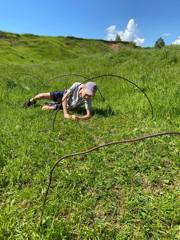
(88, 90)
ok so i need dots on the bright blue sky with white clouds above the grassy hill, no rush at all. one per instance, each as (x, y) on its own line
(140, 21)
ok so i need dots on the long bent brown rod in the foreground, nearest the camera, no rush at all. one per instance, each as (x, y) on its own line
(126, 141)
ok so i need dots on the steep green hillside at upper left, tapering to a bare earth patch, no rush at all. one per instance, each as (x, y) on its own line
(32, 48)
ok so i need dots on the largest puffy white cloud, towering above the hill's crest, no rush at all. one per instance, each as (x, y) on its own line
(129, 34)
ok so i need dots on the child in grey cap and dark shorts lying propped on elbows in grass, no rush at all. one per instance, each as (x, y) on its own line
(71, 98)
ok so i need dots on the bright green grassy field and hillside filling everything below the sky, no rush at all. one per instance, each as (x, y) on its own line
(120, 192)
